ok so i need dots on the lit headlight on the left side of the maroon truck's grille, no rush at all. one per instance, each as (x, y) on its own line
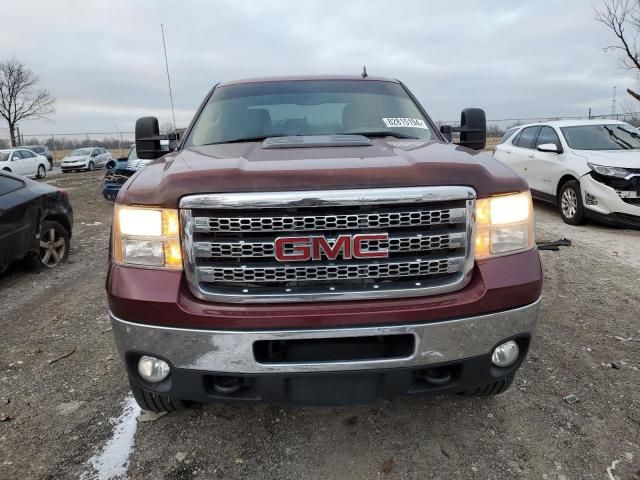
(148, 237)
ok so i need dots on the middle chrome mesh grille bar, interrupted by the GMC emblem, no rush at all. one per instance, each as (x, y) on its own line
(401, 243)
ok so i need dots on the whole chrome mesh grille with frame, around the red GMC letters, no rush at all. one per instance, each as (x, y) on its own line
(229, 243)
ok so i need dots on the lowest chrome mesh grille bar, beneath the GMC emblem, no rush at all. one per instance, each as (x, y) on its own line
(251, 274)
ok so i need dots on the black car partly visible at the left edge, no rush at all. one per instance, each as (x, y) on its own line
(35, 222)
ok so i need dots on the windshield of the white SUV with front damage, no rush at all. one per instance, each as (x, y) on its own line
(602, 137)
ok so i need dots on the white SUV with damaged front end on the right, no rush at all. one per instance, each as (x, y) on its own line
(588, 168)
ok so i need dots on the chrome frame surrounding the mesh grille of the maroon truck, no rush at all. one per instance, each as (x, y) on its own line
(370, 197)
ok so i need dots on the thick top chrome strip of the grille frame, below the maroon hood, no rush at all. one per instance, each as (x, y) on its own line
(326, 198)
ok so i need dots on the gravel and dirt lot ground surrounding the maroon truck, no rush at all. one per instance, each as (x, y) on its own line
(56, 416)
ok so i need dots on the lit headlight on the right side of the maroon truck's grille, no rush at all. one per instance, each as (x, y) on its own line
(504, 225)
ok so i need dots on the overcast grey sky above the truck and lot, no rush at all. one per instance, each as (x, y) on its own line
(104, 63)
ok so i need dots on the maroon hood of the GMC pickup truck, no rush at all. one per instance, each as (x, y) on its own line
(248, 167)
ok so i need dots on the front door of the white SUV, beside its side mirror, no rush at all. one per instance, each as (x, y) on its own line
(545, 169)
